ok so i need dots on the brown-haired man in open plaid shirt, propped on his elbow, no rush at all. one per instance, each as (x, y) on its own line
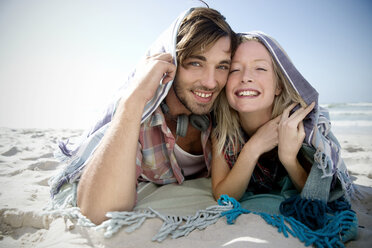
(154, 151)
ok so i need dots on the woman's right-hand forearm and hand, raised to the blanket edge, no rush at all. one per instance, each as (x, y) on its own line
(291, 136)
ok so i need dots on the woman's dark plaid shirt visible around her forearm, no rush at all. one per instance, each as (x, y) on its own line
(267, 172)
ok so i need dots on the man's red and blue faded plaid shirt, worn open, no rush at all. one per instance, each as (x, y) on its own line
(156, 161)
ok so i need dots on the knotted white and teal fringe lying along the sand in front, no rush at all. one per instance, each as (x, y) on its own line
(339, 228)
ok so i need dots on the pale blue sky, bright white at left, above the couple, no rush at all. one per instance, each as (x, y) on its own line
(61, 60)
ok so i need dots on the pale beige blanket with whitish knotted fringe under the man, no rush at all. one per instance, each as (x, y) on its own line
(182, 208)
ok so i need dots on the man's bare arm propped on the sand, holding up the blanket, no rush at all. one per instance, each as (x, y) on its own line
(108, 182)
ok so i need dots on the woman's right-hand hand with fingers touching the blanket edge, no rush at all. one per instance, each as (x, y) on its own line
(291, 133)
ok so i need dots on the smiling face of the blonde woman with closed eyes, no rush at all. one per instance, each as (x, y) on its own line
(251, 85)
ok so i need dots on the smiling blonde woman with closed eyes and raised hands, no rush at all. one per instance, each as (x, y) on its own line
(260, 131)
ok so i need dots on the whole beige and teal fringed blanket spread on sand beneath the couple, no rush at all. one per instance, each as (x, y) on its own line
(190, 206)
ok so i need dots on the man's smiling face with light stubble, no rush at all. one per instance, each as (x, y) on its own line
(202, 77)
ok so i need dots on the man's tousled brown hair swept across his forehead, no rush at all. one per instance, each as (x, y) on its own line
(200, 30)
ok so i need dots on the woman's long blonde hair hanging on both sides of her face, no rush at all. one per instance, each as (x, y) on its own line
(228, 130)
